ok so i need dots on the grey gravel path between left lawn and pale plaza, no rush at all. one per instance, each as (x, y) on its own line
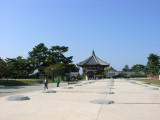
(12, 90)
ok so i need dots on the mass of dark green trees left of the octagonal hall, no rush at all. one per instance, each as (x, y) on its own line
(39, 59)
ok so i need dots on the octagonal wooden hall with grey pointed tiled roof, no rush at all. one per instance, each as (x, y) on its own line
(93, 66)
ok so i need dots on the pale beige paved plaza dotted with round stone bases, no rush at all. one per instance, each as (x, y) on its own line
(132, 101)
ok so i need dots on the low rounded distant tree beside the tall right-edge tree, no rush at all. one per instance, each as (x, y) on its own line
(138, 68)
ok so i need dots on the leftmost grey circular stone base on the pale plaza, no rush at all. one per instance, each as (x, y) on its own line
(18, 98)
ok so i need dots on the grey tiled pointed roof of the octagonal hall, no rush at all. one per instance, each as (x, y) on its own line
(93, 60)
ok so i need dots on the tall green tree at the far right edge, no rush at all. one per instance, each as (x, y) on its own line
(153, 64)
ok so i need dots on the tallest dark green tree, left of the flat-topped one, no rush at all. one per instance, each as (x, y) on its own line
(38, 56)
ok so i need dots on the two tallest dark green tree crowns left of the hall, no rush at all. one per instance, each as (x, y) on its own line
(42, 57)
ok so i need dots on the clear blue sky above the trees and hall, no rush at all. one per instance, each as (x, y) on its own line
(121, 32)
